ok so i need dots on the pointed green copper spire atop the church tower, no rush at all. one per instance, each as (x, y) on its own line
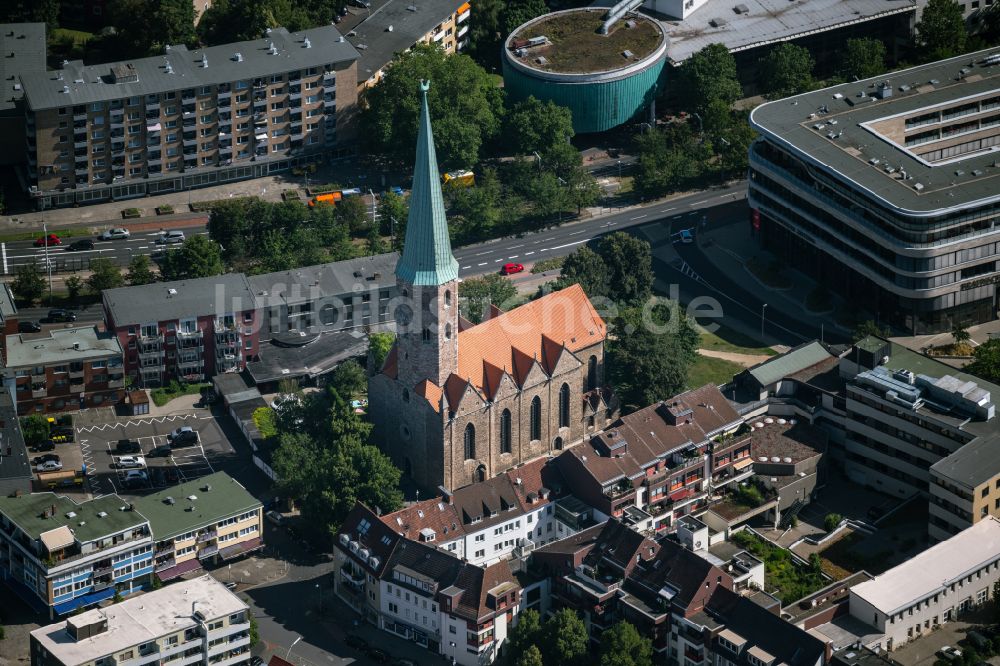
(427, 258)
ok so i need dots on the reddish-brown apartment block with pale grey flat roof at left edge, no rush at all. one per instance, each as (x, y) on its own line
(64, 369)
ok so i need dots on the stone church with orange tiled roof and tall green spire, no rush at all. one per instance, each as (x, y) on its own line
(456, 403)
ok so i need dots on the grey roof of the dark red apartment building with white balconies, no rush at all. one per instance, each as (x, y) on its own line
(222, 294)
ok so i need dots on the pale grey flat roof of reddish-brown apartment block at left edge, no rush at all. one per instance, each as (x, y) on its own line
(60, 345)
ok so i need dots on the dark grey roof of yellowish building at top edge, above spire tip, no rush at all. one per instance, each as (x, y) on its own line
(377, 46)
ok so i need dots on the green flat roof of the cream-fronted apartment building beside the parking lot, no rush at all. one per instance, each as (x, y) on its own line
(225, 498)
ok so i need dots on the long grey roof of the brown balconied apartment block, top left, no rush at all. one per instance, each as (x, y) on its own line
(93, 83)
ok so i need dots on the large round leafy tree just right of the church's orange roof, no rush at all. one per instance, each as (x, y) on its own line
(650, 354)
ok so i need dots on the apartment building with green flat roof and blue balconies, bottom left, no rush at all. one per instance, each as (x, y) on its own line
(59, 555)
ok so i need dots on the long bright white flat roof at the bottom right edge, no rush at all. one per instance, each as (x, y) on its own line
(933, 569)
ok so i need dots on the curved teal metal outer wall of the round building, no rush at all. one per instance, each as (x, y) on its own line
(597, 106)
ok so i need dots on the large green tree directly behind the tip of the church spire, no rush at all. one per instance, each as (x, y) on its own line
(465, 107)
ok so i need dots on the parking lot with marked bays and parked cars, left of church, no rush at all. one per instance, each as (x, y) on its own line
(163, 466)
